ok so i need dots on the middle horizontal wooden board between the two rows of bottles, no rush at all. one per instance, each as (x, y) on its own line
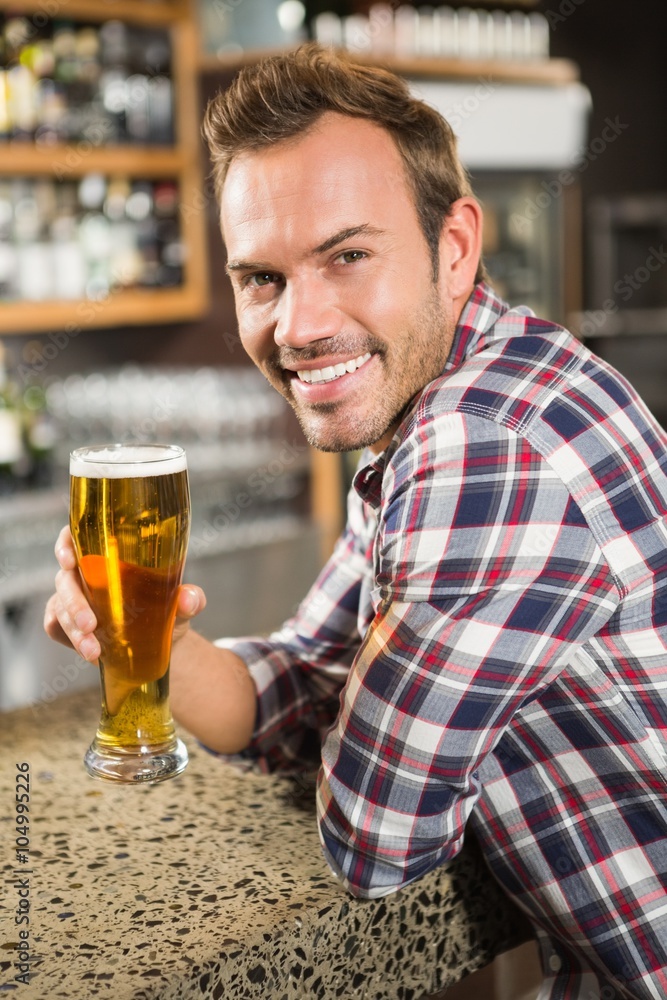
(63, 161)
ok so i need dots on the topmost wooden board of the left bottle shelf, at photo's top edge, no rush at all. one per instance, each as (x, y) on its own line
(133, 11)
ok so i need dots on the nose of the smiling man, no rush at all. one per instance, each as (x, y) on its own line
(307, 312)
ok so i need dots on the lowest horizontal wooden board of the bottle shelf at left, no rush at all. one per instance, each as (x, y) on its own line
(134, 307)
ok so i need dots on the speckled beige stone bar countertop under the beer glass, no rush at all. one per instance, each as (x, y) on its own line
(209, 885)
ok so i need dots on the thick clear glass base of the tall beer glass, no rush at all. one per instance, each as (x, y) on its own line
(132, 766)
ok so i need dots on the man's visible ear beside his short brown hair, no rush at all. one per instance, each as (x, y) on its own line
(461, 248)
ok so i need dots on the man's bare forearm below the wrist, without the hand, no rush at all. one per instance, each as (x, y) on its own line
(212, 694)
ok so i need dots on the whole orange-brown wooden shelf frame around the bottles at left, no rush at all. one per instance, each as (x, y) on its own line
(140, 306)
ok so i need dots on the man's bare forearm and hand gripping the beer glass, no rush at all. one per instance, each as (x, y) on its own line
(211, 691)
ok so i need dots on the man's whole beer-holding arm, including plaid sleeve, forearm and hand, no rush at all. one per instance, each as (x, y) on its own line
(275, 696)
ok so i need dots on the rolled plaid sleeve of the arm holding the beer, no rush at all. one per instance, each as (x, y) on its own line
(300, 670)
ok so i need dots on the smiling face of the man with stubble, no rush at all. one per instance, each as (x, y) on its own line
(333, 282)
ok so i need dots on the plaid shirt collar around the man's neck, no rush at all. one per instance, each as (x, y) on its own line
(473, 331)
